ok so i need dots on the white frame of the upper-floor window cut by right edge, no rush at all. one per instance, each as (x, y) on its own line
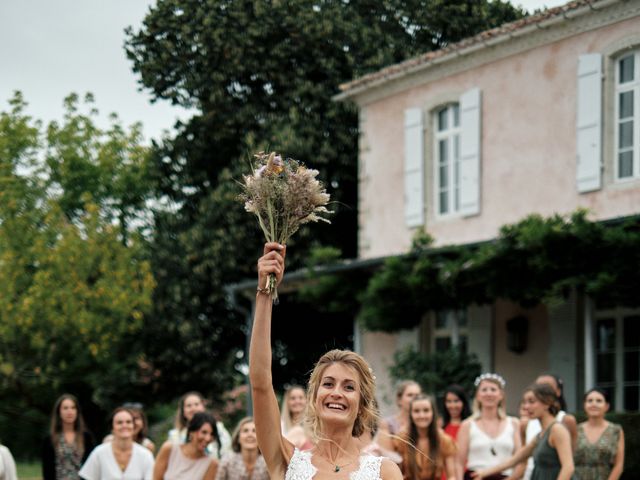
(633, 86)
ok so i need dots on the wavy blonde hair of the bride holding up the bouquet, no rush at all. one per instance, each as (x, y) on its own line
(368, 415)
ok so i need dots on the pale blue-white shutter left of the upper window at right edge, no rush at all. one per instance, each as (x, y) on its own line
(589, 123)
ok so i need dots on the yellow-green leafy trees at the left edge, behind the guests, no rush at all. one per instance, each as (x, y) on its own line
(74, 282)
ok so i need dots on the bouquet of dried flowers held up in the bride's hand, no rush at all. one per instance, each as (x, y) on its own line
(283, 194)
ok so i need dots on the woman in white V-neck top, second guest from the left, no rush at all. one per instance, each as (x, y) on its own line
(122, 458)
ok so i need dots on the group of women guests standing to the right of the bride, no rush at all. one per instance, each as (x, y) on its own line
(481, 441)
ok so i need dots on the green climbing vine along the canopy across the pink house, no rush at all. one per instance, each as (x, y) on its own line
(536, 260)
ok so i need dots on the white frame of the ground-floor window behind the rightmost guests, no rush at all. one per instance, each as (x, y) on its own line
(618, 314)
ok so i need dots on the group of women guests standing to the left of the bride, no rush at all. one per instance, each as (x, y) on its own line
(198, 447)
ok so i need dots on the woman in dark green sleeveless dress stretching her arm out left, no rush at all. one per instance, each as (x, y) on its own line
(551, 449)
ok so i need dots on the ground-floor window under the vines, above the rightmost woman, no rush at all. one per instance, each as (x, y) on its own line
(617, 362)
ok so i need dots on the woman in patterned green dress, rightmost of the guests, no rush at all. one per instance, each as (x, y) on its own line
(599, 451)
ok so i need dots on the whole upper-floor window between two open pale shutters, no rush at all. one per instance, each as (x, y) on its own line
(447, 159)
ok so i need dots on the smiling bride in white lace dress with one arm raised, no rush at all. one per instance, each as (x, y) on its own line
(340, 399)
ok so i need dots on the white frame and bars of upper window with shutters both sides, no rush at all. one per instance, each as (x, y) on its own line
(451, 135)
